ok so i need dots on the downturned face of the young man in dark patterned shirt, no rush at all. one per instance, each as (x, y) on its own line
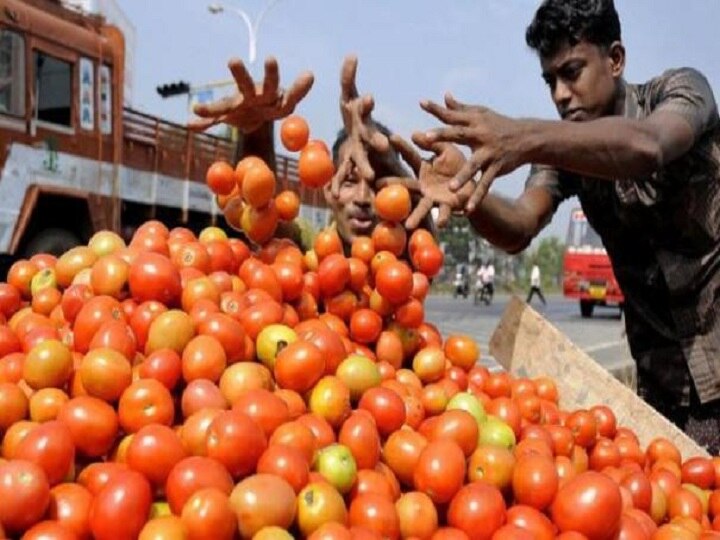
(583, 79)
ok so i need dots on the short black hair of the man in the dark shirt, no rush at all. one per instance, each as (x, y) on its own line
(560, 22)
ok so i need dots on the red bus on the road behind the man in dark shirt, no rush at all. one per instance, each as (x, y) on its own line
(587, 272)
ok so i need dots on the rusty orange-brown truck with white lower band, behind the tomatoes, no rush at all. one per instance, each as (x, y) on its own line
(75, 158)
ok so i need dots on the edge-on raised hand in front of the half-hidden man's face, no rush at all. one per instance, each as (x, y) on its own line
(355, 112)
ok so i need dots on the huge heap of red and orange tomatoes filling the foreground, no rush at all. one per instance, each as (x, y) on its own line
(187, 386)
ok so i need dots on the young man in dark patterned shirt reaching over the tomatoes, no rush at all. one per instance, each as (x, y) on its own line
(645, 162)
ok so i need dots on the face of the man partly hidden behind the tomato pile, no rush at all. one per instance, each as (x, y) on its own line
(354, 208)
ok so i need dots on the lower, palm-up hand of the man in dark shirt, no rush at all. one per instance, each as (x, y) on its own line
(433, 178)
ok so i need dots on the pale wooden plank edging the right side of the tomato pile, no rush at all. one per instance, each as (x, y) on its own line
(527, 345)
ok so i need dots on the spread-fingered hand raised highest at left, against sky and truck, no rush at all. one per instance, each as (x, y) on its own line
(253, 105)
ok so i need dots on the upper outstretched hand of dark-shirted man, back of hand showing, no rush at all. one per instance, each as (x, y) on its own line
(493, 138)
